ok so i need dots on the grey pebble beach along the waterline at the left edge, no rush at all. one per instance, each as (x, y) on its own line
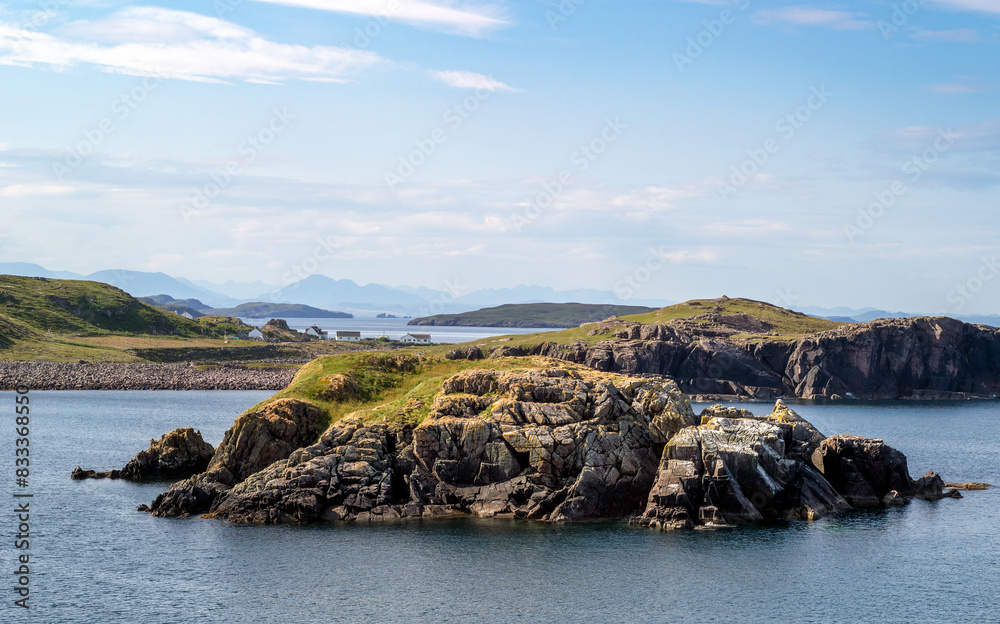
(126, 376)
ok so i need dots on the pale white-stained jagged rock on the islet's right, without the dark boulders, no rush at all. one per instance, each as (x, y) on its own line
(731, 471)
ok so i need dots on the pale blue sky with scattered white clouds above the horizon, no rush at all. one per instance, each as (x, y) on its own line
(810, 154)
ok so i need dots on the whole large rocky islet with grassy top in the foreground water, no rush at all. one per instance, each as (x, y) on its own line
(376, 437)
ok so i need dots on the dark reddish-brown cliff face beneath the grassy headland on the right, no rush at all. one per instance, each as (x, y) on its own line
(883, 359)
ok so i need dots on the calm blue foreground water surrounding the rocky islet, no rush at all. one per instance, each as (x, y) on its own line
(94, 559)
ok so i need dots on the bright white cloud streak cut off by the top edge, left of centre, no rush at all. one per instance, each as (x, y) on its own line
(465, 19)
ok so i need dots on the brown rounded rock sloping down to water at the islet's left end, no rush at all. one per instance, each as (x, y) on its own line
(256, 440)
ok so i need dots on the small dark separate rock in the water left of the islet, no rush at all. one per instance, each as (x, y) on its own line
(177, 454)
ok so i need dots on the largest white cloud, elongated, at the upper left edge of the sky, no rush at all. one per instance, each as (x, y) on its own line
(147, 41)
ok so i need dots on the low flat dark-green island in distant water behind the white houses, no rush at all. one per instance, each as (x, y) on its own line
(532, 315)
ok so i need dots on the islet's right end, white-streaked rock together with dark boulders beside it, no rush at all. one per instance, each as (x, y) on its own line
(734, 470)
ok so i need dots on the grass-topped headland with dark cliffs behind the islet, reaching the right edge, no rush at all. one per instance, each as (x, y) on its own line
(750, 349)
